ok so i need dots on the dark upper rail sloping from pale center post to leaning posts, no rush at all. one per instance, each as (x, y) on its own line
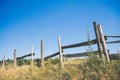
(80, 44)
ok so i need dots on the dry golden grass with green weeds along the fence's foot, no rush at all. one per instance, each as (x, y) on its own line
(91, 69)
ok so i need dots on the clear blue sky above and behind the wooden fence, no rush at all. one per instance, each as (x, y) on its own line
(25, 22)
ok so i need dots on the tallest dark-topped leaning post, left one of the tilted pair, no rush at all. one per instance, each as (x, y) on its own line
(98, 40)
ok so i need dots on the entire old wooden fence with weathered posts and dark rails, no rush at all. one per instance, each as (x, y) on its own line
(100, 40)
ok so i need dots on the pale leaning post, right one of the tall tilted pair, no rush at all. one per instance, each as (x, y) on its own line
(103, 42)
